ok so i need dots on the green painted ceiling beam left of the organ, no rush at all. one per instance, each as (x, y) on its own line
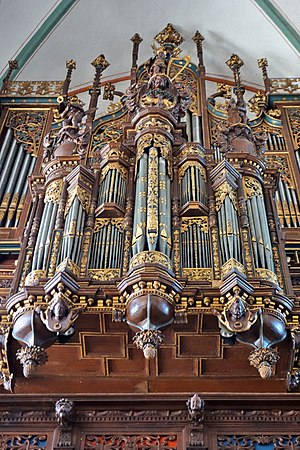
(41, 34)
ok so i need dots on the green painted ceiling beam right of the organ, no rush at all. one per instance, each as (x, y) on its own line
(280, 21)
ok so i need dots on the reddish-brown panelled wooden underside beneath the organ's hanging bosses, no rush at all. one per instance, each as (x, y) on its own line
(103, 358)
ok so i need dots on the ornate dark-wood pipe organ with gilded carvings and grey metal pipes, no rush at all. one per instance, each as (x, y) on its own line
(171, 221)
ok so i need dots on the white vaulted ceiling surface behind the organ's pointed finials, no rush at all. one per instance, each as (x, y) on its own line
(92, 27)
